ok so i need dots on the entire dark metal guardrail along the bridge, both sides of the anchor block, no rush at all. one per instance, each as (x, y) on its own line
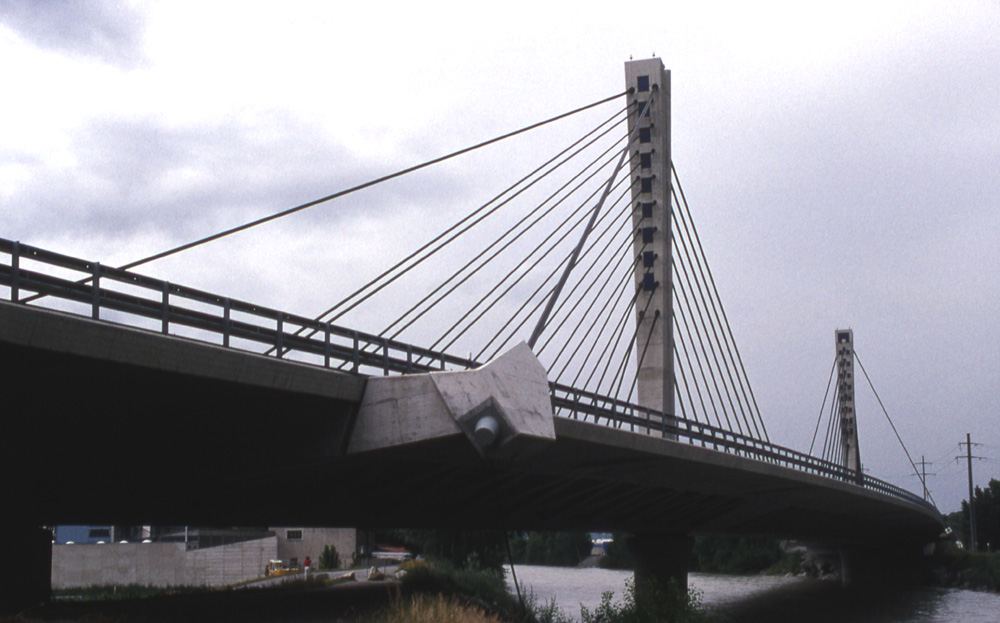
(125, 297)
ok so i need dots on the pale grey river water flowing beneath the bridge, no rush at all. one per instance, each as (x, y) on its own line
(772, 599)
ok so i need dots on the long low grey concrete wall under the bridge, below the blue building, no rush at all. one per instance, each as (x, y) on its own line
(159, 564)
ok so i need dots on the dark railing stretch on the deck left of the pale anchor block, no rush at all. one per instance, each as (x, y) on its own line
(103, 292)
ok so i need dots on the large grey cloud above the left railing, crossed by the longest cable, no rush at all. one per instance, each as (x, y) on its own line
(141, 174)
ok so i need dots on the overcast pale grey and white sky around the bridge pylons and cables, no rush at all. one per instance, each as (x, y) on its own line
(842, 161)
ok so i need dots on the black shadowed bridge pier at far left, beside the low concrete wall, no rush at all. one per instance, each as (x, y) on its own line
(28, 554)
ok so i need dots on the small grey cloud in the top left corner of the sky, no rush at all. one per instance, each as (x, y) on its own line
(108, 31)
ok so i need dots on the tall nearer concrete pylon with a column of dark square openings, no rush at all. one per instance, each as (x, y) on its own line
(648, 81)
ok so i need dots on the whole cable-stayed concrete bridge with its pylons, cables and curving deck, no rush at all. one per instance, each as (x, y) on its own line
(558, 358)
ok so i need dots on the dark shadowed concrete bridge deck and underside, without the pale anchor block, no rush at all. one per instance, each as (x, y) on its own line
(109, 423)
